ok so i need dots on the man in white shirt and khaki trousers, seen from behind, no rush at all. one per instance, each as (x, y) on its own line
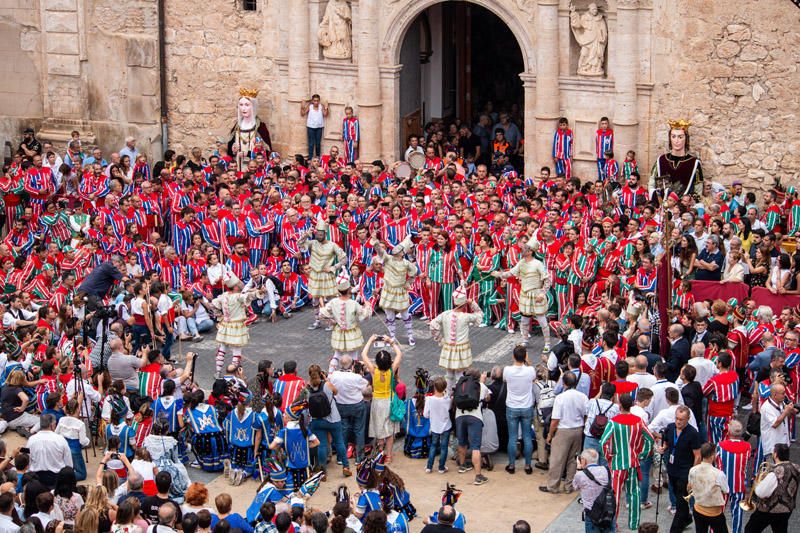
(566, 434)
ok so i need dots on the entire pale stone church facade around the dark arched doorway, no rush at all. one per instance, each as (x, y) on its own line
(150, 68)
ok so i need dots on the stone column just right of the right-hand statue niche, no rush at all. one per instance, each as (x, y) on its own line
(626, 118)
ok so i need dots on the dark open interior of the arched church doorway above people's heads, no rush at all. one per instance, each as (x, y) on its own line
(459, 60)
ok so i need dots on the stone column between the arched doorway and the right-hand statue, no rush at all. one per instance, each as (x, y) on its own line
(547, 91)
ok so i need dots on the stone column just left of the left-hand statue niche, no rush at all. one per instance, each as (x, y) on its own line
(298, 76)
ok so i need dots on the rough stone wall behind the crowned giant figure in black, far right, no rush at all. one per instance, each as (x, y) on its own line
(733, 71)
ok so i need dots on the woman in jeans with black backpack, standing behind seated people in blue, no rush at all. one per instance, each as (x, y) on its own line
(320, 400)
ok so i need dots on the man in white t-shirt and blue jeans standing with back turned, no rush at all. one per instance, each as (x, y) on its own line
(519, 380)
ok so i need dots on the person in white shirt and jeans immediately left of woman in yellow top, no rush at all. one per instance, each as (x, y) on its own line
(349, 398)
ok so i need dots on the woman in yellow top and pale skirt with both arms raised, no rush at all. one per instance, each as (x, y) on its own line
(383, 370)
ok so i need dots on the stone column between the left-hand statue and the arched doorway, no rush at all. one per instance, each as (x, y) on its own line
(368, 88)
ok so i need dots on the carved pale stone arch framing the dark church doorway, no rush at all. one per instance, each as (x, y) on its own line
(397, 27)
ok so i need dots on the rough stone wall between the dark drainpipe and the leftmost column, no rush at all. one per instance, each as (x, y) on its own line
(213, 48)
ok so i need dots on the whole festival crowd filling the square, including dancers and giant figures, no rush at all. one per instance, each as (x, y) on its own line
(110, 266)
